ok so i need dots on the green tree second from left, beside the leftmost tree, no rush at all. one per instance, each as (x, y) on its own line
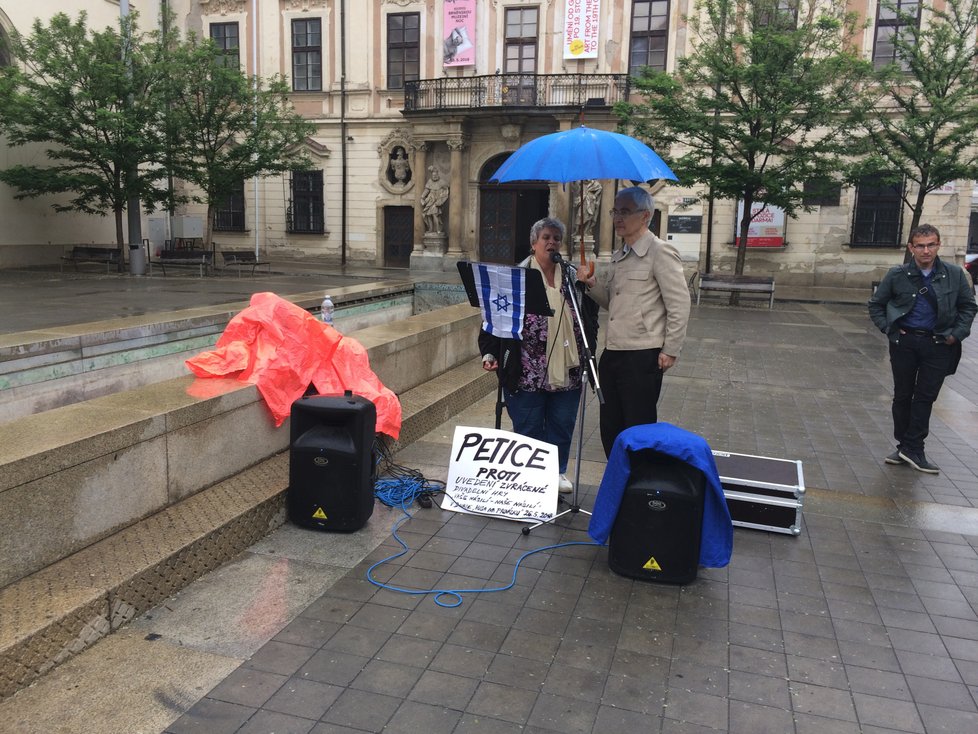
(227, 126)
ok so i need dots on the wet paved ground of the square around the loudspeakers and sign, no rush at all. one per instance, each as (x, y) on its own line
(865, 622)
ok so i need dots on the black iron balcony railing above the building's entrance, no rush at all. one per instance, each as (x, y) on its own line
(532, 91)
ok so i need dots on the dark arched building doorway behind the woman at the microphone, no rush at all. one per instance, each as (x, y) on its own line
(506, 213)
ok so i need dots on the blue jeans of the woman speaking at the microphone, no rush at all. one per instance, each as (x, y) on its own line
(545, 416)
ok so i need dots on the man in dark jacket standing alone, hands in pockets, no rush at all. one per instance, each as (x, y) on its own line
(925, 307)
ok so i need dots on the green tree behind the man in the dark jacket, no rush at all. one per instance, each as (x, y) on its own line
(925, 128)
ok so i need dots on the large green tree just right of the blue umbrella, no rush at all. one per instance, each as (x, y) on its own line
(759, 107)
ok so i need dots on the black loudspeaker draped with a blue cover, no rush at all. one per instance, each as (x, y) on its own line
(656, 535)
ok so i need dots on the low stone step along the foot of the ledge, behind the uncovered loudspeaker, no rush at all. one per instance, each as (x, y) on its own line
(66, 607)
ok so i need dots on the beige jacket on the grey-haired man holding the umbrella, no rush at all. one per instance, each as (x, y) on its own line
(646, 295)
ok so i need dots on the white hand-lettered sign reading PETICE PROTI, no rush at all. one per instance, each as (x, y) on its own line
(500, 473)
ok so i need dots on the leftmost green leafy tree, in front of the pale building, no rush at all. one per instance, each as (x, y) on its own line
(90, 98)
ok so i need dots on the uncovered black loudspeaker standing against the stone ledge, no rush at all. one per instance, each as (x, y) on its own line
(331, 468)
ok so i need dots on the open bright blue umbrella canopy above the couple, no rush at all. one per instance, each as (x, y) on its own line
(583, 153)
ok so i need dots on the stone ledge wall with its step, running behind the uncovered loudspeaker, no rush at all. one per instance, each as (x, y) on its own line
(79, 557)
